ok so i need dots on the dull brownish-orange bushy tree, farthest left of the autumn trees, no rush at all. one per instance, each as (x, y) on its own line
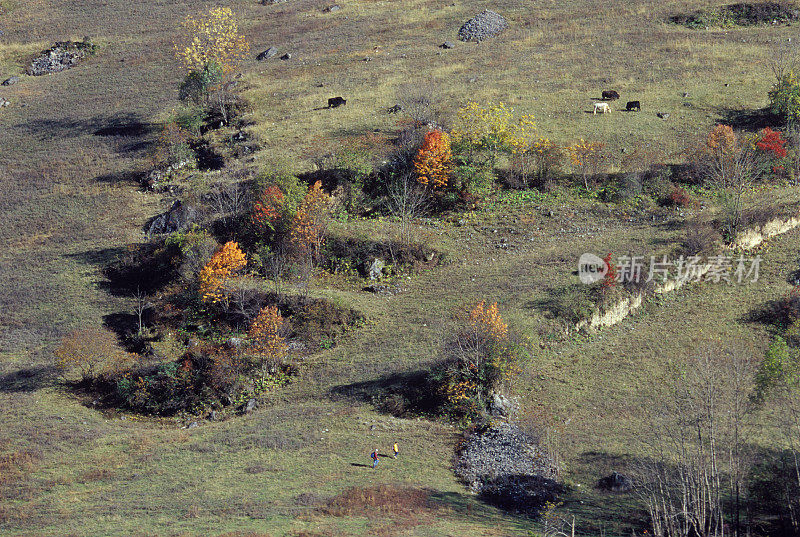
(91, 352)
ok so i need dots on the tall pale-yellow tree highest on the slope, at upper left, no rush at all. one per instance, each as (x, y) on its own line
(210, 48)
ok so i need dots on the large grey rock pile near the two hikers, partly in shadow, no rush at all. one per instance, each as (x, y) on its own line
(505, 465)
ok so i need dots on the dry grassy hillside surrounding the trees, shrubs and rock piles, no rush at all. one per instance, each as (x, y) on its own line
(73, 143)
